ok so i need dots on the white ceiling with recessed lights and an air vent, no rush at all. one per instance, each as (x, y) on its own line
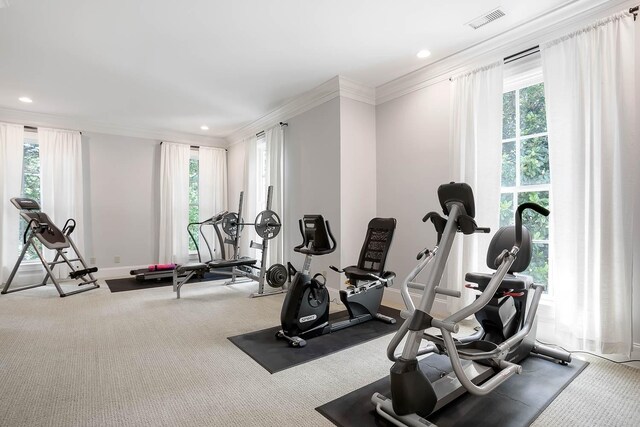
(178, 64)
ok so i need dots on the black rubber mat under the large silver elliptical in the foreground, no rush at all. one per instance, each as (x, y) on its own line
(515, 403)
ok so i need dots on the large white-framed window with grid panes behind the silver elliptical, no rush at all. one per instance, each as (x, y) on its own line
(525, 168)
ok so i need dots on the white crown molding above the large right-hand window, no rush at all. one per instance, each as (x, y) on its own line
(545, 27)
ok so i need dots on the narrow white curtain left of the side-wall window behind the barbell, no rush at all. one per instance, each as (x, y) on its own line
(249, 211)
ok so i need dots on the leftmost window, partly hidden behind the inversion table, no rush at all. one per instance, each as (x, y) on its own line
(30, 185)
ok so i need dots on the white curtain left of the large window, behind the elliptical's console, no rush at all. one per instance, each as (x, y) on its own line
(475, 128)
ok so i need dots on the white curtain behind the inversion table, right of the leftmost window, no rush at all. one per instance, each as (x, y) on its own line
(62, 183)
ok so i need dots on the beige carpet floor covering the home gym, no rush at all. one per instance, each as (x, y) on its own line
(143, 358)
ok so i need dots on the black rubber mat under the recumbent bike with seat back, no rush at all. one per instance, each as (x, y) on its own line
(276, 355)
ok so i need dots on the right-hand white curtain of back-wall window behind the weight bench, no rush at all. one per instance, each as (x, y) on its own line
(212, 192)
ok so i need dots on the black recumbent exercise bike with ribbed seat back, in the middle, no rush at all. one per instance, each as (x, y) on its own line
(305, 311)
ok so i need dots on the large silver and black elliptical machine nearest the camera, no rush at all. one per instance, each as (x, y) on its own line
(505, 308)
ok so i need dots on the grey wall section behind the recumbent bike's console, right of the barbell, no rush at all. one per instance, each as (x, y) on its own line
(312, 180)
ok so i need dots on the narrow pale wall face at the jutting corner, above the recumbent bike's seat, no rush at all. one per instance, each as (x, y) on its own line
(358, 191)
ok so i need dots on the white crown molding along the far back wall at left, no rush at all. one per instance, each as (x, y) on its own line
(29, 118)
